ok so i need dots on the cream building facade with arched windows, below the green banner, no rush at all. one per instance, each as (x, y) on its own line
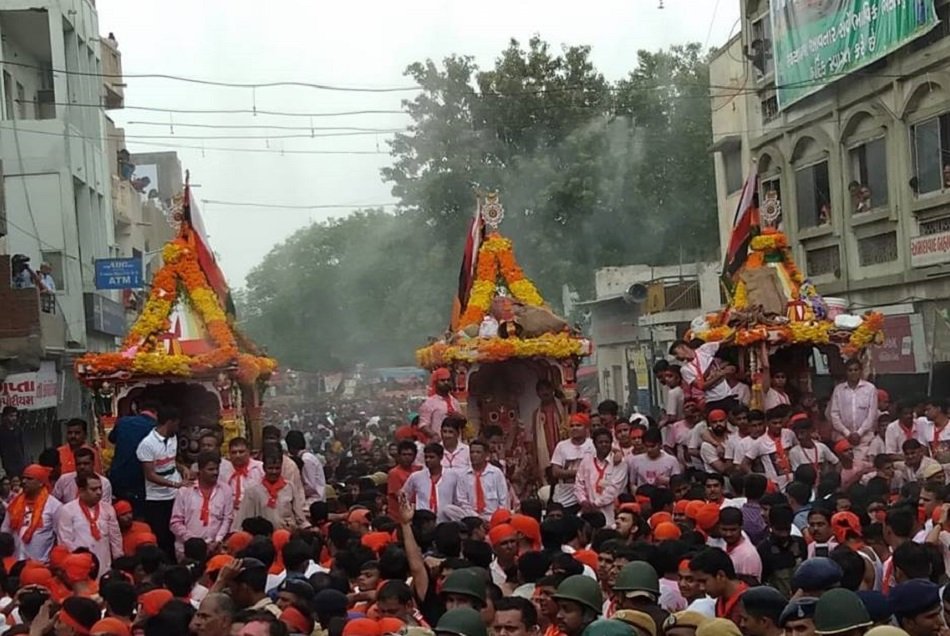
(856, 169)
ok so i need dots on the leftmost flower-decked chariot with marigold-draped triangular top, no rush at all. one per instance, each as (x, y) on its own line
(182, 350)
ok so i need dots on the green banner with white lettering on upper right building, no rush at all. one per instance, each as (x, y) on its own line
(815, 42)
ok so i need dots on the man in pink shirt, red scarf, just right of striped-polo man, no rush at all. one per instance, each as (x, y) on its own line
(205, 509)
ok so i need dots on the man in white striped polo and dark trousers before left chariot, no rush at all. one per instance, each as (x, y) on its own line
(158, 453)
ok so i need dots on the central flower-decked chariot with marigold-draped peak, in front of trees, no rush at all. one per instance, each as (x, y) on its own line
(513, 360)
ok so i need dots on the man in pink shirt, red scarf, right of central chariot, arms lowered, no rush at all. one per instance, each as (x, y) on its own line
(601, 477)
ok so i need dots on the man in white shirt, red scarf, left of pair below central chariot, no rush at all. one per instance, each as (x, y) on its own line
(437, 490)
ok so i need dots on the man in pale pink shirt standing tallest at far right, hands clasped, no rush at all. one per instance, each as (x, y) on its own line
(853, 409)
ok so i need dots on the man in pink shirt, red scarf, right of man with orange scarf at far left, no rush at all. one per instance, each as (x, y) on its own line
(88, 522)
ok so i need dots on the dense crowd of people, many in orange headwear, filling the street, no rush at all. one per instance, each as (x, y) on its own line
(354, 517)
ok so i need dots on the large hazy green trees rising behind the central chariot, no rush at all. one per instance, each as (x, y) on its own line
(591, 174)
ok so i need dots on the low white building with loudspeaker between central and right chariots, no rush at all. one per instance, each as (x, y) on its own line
(637, 312)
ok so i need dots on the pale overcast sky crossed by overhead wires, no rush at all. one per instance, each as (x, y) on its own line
(319, 161)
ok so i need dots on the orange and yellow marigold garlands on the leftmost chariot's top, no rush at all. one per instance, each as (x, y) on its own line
(141, 350)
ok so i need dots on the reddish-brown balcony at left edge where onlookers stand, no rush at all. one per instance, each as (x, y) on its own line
(31, 323)
